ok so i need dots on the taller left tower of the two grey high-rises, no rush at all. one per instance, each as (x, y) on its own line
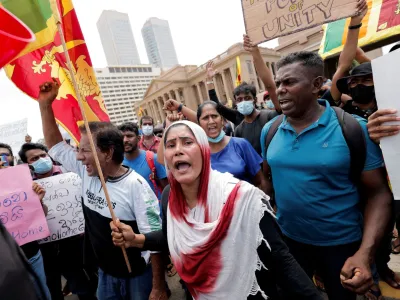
(117, 38)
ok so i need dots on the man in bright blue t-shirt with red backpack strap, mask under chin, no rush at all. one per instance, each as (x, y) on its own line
(153, 172)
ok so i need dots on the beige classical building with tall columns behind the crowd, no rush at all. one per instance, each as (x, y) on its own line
(187, 84)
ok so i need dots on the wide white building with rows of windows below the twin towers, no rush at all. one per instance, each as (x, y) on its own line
(122, 87)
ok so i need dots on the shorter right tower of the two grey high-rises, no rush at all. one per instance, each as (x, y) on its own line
(159, 44)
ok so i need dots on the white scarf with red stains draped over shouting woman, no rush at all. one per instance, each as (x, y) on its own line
(214, 245)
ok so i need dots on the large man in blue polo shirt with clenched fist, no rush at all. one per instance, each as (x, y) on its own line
(318, 204)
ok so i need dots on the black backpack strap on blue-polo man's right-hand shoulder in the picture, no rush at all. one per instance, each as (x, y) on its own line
(355, 139)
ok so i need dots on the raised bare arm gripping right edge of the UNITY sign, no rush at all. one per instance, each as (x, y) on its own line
(349, 50)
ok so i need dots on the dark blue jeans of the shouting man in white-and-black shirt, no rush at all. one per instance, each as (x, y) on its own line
(135, 288)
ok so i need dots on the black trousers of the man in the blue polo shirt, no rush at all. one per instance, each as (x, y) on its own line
(328, 262)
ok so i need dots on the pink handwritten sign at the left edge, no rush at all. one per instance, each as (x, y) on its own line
(20, 209)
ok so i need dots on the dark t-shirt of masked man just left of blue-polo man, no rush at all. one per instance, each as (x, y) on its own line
(252, 131)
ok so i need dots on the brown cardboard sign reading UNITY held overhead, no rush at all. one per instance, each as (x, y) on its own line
(269, 19)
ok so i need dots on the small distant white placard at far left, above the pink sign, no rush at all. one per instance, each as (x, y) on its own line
(14, 134)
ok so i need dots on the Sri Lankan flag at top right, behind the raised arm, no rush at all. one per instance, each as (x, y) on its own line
(382, 21)
